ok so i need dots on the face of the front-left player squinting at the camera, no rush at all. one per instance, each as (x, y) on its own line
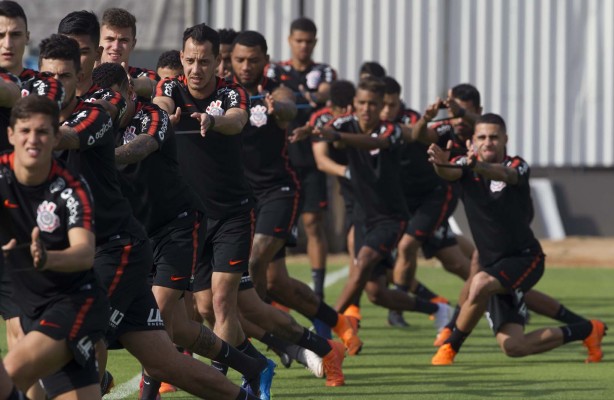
(34, 139)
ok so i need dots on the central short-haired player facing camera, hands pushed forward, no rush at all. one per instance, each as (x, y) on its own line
(214, 113)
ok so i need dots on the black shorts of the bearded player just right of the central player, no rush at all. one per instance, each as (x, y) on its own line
(277, 217)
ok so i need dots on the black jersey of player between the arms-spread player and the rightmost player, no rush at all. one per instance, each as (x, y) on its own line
(417, 174)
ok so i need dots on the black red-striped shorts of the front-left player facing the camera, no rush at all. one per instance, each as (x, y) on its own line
(80, 319)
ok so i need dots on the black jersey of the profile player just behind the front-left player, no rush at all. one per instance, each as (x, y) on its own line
(95, 160)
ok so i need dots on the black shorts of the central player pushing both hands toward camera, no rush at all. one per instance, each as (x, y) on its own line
(226, 248)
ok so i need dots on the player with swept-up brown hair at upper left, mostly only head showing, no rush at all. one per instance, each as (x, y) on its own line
(118, 39)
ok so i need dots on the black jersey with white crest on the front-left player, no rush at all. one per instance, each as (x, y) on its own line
(59, 204)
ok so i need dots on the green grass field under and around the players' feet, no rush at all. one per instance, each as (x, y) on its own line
(395, 363)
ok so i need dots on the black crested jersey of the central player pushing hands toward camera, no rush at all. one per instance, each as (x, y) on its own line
(212, 165)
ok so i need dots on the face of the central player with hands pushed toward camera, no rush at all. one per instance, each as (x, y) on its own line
(199, 64)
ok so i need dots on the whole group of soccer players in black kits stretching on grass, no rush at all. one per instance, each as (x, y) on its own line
(137, 204)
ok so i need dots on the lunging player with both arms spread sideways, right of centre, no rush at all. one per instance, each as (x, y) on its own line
(373, 154)
